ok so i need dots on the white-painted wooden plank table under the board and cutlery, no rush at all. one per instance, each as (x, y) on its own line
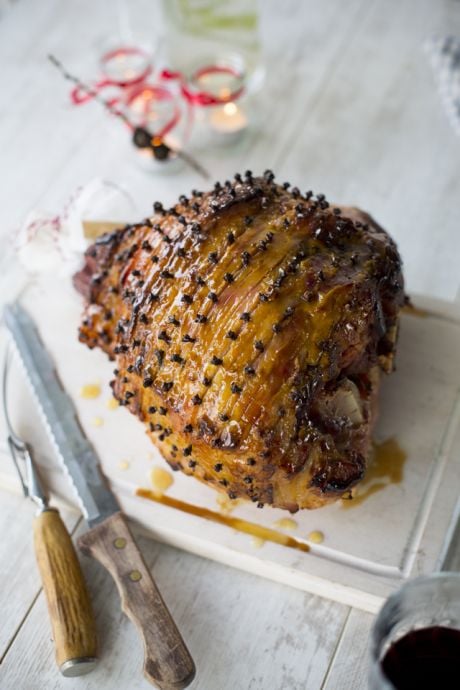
(350, 109)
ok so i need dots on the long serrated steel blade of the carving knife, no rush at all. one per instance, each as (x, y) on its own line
(60, 418)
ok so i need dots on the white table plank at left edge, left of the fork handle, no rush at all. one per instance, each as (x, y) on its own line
(19, 578)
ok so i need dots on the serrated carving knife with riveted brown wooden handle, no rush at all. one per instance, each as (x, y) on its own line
(167, 661)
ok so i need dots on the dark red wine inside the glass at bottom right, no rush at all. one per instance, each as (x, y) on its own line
(425, 659)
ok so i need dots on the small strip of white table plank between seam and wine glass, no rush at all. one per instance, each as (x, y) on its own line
(350, 663)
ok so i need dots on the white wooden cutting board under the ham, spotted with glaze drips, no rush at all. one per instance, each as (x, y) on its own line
(368, 550)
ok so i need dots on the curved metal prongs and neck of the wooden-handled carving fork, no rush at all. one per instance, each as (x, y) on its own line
(21, 451)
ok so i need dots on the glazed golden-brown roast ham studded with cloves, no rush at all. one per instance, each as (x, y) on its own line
(250, 326)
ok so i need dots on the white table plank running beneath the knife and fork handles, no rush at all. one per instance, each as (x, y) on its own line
(243, 633)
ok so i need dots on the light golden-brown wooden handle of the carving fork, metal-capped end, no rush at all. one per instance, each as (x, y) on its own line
(69, 605)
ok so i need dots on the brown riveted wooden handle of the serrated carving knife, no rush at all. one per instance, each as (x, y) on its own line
(167, 661)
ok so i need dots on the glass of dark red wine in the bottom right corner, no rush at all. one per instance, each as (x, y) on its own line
(415, 640)
